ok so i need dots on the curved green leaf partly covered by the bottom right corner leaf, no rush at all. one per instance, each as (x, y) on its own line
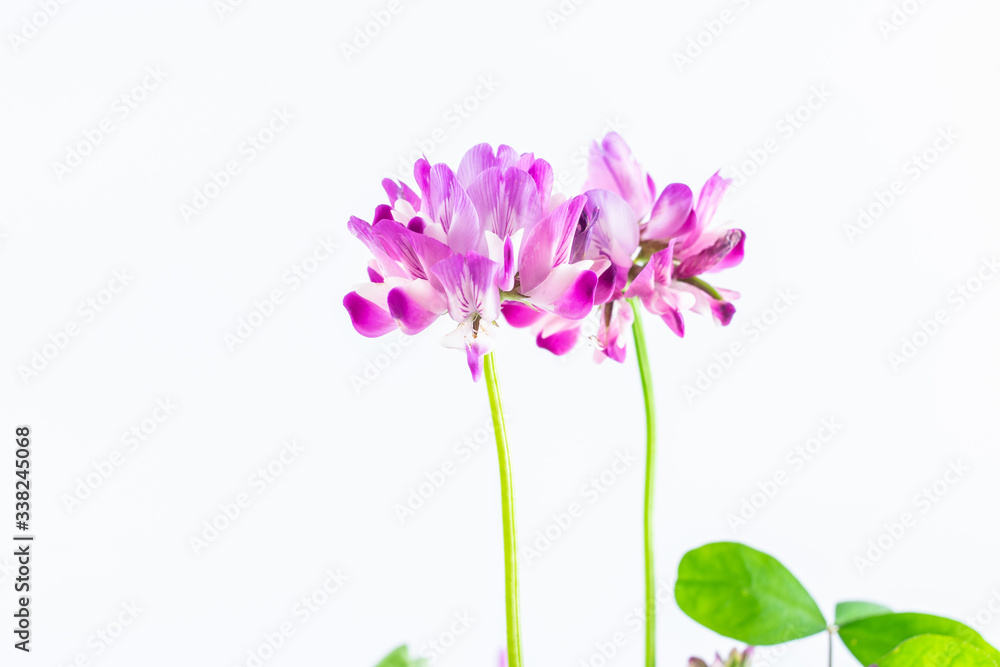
(871, 638)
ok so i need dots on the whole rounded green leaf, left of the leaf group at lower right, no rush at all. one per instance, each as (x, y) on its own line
(746, 595)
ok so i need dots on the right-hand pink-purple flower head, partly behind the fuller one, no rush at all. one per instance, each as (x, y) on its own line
(651, 248)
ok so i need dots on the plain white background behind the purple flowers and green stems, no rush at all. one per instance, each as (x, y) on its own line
(557, 84)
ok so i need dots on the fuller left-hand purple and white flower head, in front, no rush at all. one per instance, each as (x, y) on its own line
(472, 238)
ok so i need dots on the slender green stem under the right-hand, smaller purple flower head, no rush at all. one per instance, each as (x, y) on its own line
(647, 393)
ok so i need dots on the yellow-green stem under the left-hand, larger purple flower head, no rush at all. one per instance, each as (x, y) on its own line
(507, 498)
